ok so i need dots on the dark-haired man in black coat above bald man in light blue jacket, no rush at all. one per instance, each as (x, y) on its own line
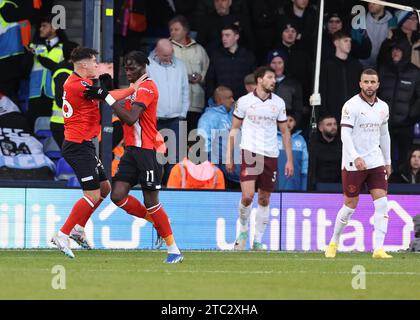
(229, 65)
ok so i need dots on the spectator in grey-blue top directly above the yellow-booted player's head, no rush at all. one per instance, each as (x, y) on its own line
(379, 23)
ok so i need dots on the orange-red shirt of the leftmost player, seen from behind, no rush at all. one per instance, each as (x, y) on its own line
(82, 119)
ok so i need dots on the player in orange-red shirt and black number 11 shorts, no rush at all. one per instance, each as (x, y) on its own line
(140, 165)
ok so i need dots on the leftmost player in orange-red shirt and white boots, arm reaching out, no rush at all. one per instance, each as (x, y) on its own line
(81, 125)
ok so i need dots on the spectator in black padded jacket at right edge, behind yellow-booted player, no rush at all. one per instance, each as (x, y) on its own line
(400, 89)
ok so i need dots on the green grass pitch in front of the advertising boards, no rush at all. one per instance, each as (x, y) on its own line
(109, 274)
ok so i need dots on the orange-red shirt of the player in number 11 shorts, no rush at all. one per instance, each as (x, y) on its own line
(143, 133)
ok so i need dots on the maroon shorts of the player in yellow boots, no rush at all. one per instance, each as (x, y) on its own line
(353, 181)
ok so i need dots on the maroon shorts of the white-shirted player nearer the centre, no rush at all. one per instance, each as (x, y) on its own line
(263, 170)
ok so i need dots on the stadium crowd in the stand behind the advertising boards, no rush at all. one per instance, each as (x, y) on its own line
(208, 49)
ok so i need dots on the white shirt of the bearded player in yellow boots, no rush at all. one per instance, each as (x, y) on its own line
(366, 121)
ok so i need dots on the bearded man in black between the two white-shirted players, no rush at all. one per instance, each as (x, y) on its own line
(326, 152)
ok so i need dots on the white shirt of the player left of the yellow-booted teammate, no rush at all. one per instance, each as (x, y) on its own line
(260, 123)
